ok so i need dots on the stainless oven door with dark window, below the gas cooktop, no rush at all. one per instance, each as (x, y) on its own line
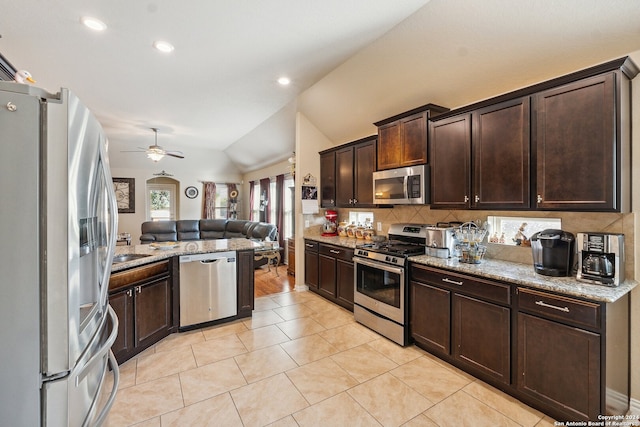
(380, 288)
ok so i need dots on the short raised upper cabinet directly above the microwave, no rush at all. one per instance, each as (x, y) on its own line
(402, 139)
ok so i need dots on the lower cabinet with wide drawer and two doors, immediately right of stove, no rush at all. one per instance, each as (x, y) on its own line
(455, 317)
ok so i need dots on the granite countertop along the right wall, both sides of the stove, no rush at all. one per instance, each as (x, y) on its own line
(511, 272)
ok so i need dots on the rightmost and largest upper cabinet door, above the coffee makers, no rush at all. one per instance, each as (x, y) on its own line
(576, 145)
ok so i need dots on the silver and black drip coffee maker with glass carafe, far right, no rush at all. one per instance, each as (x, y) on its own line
(600, 258)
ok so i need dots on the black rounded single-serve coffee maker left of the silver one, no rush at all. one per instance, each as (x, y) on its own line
(553, 252)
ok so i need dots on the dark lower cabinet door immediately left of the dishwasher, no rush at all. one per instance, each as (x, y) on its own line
(152, 311)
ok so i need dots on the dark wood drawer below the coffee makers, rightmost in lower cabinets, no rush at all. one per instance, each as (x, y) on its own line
(577, 312)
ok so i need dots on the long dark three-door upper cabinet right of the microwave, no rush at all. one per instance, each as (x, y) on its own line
(563, 144)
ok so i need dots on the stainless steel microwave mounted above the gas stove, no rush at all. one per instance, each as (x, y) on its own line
(402, 186)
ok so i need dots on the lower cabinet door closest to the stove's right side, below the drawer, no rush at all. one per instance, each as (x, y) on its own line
(430, 316)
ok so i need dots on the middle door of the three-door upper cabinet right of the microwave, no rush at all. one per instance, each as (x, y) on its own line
(501, 173)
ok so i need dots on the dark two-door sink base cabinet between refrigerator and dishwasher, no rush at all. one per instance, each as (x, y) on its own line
(142, 298)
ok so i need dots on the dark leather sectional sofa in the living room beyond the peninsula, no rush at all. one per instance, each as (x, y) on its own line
(206, 229)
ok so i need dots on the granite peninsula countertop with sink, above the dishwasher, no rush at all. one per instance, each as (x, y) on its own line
(182, 248)
